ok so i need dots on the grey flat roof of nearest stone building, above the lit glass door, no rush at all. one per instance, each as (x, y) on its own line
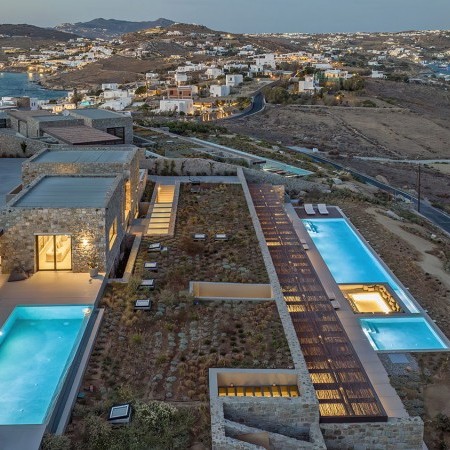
(68, 192)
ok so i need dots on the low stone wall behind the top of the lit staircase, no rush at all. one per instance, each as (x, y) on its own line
(187, 167)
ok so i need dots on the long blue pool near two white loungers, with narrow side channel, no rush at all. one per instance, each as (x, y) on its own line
(348, 258)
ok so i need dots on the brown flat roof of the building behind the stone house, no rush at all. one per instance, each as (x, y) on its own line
(80, 134)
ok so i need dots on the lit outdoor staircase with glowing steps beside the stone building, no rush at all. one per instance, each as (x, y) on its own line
(161, 210)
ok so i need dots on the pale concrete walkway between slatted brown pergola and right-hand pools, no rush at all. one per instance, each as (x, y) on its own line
(372, 365)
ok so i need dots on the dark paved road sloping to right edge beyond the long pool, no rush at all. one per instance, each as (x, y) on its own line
(438, 217)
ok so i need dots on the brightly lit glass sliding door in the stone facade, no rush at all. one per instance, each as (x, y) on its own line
(54, 252)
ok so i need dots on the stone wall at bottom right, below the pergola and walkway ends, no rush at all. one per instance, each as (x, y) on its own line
(396, 434)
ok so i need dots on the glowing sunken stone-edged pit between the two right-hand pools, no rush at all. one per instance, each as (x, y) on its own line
(370, 299)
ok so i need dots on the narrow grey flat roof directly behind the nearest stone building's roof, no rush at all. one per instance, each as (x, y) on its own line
(84, 156)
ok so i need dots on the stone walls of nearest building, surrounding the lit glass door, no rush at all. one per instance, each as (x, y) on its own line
(88, 228)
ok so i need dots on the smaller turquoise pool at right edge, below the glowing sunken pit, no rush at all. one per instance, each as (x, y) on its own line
(405, 334)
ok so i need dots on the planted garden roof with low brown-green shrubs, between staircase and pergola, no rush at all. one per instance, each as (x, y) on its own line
(159, 360)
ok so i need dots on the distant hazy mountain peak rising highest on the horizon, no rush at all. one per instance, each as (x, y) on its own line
(110, 28)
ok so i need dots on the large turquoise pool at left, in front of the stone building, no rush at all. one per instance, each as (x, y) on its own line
(37, 347)
